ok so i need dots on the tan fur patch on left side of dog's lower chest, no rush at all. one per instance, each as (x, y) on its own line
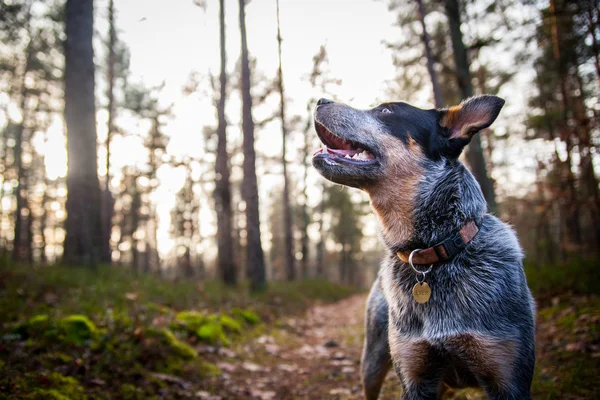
(412, 356)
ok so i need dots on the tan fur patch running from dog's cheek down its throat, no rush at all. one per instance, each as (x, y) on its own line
(392, 198)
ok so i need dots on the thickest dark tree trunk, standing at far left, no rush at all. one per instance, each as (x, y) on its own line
(83, 240)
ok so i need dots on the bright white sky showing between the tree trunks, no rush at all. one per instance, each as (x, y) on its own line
(168, 43)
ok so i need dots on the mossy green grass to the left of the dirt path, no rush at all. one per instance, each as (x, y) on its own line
(81, 333)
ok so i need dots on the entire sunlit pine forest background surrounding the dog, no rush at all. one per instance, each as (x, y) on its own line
(164, 235)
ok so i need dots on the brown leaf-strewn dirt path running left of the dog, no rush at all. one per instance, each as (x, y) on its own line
(314, 357)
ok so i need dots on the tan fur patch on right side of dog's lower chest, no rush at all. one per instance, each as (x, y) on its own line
(488, 357)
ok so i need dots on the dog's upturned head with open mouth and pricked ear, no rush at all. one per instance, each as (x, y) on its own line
(389, 143)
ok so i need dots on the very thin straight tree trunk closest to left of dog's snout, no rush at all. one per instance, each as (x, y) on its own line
(288, 239)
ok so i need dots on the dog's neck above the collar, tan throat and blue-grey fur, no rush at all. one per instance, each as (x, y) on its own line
(420, 213)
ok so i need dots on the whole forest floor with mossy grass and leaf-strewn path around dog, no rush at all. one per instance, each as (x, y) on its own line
(147, 339)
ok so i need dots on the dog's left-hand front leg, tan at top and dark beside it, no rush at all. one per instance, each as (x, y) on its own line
(419, 367)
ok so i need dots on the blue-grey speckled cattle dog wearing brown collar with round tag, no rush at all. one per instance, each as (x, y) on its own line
(450, 306)
